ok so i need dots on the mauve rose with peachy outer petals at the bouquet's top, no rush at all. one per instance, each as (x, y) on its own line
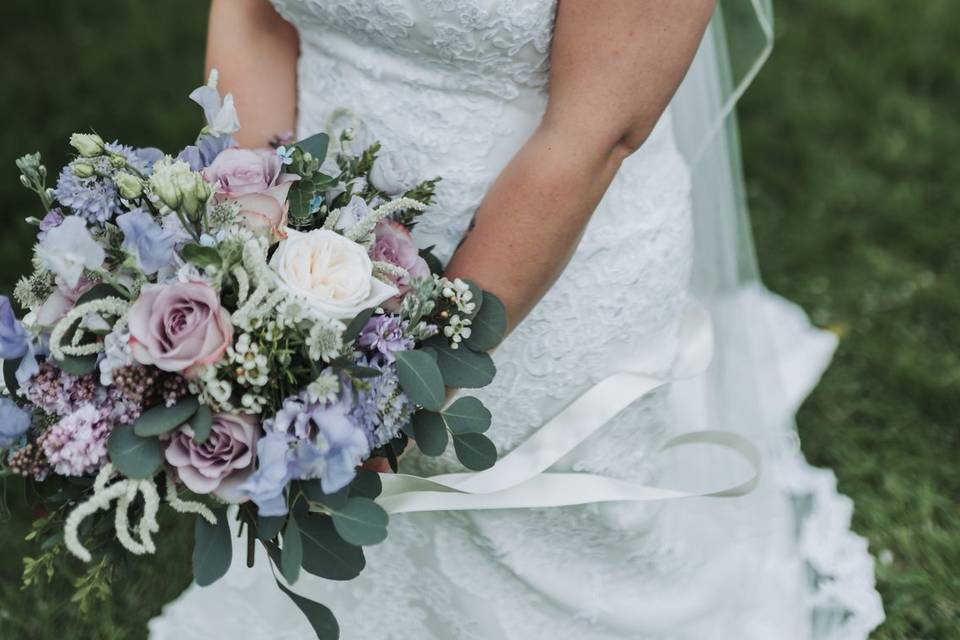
(253, 178)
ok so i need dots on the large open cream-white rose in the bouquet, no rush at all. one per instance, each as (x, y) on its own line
(332, 274)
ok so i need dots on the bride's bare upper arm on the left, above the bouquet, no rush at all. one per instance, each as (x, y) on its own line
(255, 51)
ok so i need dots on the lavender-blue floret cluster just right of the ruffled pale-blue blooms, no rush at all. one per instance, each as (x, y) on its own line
(381, 408)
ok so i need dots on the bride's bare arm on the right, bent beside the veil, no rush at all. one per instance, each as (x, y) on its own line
(615, 65)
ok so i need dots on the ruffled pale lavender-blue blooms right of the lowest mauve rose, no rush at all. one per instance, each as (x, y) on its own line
(305, 440)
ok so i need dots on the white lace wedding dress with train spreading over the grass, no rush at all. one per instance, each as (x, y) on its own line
(453, 88)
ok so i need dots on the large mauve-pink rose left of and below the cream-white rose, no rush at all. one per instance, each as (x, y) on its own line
(179, 327)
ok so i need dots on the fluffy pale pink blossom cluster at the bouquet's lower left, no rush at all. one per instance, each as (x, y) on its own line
(77, 444)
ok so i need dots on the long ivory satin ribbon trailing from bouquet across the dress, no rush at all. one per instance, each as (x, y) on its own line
(521, 478)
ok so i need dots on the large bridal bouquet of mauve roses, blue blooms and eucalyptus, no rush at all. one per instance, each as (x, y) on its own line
(231, 327)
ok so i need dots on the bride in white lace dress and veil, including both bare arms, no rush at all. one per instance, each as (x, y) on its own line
(590, 179)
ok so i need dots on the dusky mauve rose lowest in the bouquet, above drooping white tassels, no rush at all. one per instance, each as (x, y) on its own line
(222, 463)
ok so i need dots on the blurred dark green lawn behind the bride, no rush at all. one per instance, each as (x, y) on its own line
(850, 137)
